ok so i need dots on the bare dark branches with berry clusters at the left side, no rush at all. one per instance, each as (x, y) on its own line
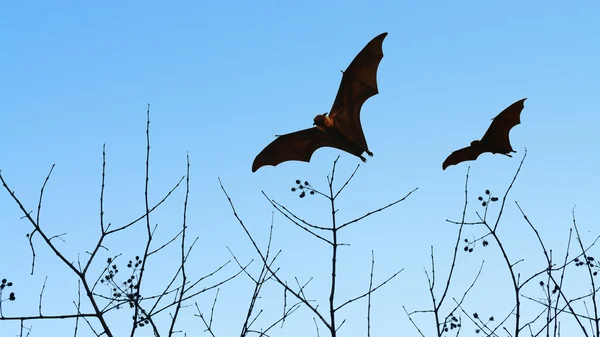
(128, 292)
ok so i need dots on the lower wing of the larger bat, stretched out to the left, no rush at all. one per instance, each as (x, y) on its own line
(300, 146)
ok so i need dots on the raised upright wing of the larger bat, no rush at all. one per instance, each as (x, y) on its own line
(359, 83)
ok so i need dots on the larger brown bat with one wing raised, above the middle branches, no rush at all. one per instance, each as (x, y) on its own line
(340, 129)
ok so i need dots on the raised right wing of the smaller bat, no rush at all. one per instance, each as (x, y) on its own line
(497, 134)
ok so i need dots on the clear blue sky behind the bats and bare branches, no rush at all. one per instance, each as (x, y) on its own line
(224, 77)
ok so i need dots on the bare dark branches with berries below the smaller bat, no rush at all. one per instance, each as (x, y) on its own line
(545, 321)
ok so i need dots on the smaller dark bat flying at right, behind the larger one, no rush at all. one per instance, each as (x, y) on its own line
(495, 140)
